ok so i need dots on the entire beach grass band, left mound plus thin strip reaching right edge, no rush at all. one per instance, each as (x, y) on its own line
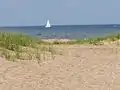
(18, 46)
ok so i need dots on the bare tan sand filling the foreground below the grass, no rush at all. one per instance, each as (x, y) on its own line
(76, 67)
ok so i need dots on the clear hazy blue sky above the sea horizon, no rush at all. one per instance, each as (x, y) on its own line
(59, 12)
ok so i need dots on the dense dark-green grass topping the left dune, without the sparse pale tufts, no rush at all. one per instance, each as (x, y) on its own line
(13, 41)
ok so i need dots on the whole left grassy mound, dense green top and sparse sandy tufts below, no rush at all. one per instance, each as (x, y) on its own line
(23, 47)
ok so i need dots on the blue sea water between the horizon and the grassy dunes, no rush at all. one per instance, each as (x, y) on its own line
(66, 31)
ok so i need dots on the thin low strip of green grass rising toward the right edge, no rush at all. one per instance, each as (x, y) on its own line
(92, 40)
